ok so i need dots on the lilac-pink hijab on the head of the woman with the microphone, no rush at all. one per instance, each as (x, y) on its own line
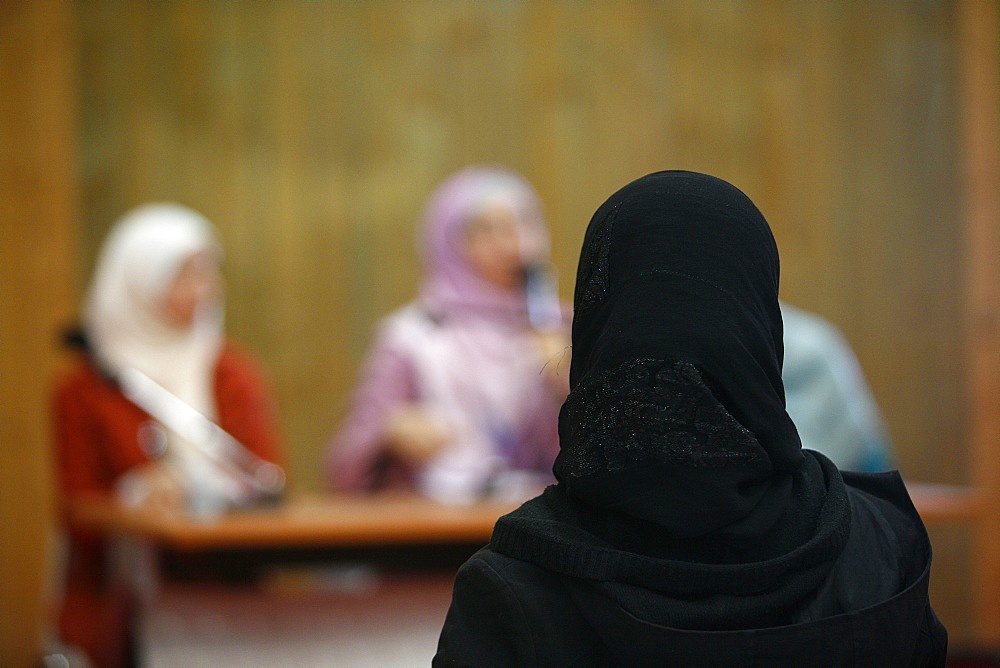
(451, 286)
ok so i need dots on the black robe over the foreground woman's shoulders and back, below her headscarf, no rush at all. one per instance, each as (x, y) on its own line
(871, 607)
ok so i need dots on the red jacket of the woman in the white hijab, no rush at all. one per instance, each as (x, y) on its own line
(96, 442)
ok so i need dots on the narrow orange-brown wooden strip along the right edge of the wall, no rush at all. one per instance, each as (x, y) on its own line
(978, 25)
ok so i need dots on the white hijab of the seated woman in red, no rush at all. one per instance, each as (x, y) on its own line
(124, 313)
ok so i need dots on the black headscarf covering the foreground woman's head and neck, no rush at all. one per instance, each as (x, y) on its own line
(676, 416)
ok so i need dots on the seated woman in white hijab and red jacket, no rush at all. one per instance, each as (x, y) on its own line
(153, 311)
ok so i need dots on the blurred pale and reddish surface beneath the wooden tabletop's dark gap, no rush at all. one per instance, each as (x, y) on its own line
(352, 616)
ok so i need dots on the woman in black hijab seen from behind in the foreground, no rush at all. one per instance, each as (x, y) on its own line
(688, 525)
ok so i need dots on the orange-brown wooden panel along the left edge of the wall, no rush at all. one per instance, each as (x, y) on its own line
(38, 220)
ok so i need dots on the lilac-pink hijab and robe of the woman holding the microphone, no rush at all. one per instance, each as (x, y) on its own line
(465, 352)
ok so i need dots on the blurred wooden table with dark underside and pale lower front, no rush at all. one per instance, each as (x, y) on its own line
(201, 611)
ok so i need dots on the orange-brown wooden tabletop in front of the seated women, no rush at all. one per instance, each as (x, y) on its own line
(398, 519)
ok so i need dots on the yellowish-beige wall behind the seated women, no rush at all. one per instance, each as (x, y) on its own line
(311, 132)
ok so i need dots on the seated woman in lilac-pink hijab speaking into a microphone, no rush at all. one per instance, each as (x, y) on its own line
(462, 387)
